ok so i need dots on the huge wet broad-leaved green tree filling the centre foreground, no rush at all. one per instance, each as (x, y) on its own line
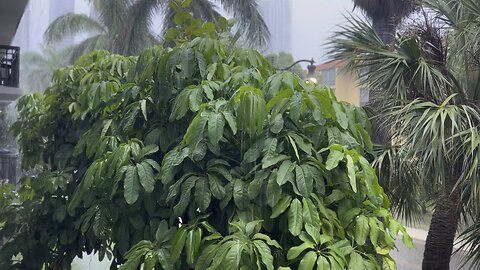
(197, 156)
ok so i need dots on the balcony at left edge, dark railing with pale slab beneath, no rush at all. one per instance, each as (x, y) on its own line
(9, 74)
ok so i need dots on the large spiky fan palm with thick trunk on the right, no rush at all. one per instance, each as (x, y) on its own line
(429, 96)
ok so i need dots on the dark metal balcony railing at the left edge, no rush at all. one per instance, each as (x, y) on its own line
(9, 65)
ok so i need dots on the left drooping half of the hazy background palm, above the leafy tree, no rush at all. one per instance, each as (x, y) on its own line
(122, 27)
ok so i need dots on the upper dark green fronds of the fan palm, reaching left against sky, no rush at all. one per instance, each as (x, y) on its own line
(403, 72)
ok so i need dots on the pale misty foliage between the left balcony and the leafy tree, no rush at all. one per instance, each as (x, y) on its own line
(37, 68)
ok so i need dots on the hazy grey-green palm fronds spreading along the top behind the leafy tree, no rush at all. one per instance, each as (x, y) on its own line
(124, 26)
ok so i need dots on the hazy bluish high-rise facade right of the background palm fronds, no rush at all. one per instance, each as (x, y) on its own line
(278, 17)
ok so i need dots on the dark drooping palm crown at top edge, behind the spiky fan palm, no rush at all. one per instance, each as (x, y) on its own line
(386, 14)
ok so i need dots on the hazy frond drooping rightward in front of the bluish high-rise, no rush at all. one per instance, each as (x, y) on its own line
(250, 20)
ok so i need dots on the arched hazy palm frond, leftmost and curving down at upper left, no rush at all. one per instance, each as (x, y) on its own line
(69, 25)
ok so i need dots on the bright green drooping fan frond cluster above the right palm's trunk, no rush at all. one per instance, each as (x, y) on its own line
(429, 136)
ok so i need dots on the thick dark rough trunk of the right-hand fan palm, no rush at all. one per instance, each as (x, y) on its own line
(439, 244)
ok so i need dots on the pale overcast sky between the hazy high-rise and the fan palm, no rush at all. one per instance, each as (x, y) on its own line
(313, 22)
